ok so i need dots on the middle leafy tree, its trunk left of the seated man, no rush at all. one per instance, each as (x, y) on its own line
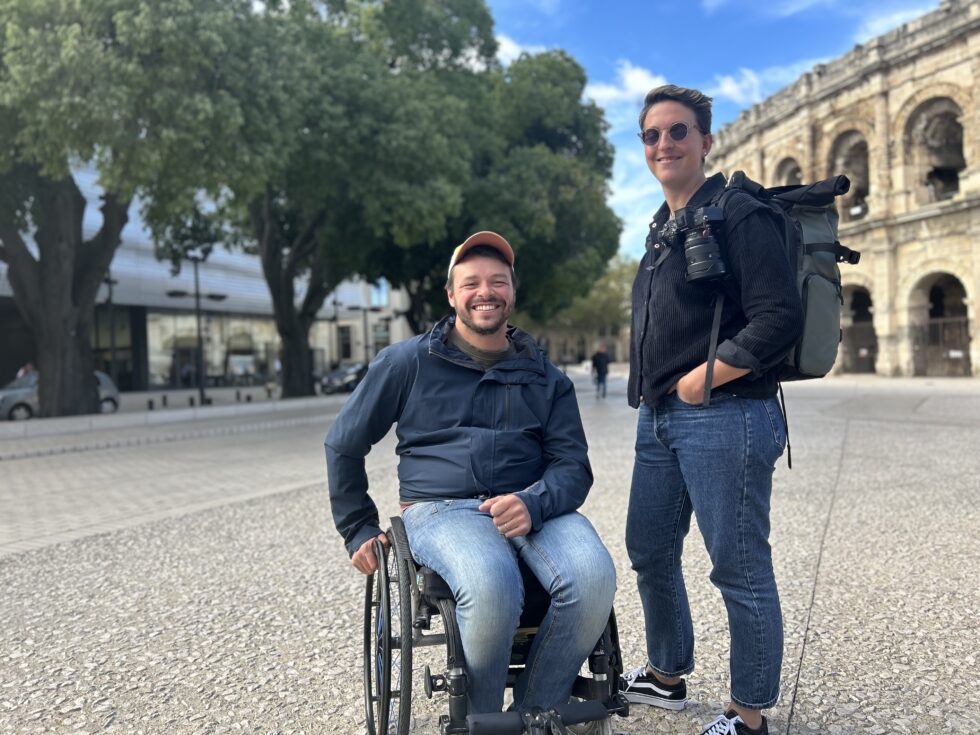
(377, 157)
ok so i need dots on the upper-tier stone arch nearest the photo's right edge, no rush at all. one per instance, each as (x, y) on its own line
(934, 142)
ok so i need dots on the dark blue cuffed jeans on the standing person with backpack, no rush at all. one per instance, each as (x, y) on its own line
(717, 462)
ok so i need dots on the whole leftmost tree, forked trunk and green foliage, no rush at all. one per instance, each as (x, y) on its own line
(151, 95)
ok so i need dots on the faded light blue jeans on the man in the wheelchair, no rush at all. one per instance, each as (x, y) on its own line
(463, 546)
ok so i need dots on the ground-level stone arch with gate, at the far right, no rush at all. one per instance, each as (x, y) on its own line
(938, 325)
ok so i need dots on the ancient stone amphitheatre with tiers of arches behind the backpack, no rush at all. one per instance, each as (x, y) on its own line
(900, 116)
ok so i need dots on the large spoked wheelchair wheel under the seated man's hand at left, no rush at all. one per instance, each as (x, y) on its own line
(388, 646)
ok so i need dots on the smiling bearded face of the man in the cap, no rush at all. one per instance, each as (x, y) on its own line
(482, 294)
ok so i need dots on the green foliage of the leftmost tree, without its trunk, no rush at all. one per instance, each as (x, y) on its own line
(154, 94)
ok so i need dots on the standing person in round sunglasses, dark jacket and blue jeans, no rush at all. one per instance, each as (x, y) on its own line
(714, 460)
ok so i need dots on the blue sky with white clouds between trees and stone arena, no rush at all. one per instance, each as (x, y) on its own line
(738, 52)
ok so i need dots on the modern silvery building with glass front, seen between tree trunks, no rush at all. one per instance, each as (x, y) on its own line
(147, 321)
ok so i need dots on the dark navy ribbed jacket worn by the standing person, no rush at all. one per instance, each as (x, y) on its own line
(762, 316)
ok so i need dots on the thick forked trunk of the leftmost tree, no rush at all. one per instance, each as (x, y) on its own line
(55, 292)
